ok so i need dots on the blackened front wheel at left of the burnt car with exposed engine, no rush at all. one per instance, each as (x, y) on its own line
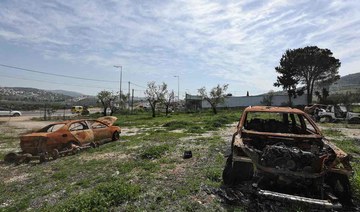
(235, 173)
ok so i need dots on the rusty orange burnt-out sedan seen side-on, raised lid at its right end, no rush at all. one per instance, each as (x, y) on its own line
(63, 137)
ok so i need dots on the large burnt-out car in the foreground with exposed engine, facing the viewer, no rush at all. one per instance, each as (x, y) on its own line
(283, 153)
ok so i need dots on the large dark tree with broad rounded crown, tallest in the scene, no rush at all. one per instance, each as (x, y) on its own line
(308, 66)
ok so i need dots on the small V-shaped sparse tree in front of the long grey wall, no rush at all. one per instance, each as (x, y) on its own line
(216, 96)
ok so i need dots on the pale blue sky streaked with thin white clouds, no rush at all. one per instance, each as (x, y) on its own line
(203, 42)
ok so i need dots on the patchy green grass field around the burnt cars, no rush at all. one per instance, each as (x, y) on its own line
(144, 171)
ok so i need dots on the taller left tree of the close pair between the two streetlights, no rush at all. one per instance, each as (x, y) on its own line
(155, 94)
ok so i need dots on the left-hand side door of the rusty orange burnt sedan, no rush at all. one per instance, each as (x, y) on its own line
(80, 130)
